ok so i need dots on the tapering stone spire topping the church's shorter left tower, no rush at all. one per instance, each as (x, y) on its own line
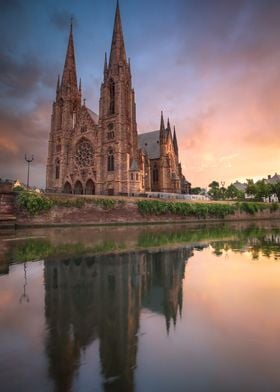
(69, 78)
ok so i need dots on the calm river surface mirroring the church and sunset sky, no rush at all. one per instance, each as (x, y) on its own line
(140, 309)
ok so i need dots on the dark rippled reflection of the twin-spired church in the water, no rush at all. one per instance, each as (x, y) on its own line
(101, 298)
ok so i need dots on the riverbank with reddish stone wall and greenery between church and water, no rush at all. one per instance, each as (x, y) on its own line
(64, 210)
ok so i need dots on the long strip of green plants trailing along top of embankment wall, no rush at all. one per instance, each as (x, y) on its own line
(35, 204)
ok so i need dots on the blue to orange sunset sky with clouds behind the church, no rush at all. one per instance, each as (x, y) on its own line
(212, 66)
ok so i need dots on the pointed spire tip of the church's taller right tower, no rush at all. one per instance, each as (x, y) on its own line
(118, 53)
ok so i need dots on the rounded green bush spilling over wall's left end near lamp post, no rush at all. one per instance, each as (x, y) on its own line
(34, 203)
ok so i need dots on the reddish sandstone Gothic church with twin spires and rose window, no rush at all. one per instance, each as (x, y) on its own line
(103, 154)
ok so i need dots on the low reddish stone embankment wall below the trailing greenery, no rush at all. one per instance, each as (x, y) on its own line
(122, 214)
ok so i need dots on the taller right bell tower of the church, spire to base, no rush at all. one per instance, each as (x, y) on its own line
(117, 114)
